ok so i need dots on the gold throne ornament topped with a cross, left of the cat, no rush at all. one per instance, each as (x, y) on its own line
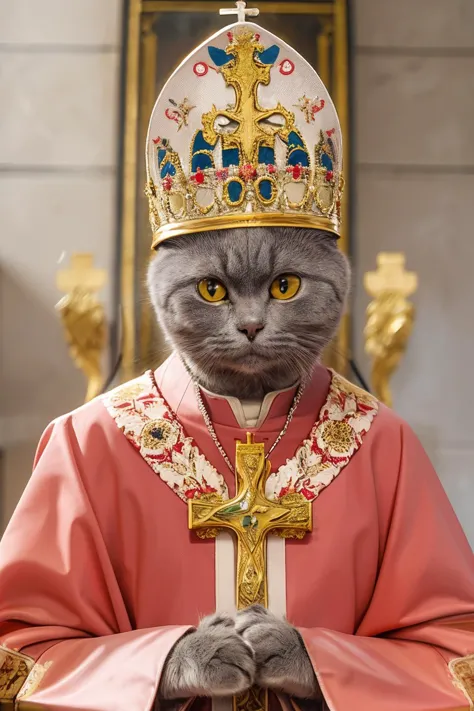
(83, 318)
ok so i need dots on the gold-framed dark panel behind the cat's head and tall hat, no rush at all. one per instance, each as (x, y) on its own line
(329, 45)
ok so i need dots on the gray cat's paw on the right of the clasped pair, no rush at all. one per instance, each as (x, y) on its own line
(280, 655)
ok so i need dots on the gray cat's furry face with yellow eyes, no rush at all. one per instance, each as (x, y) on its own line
(249, 310)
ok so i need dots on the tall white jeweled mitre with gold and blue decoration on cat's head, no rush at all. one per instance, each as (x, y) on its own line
(243, 133)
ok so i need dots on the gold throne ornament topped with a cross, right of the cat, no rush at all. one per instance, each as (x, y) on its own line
(390, 318)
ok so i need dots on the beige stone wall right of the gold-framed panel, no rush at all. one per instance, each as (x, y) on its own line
(414, 103)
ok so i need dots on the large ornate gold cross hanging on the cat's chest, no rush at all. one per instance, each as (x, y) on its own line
(251, 516)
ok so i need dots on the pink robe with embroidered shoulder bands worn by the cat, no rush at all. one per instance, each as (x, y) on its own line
(100, 576)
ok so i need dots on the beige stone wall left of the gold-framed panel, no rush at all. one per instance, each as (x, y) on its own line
(59, 77)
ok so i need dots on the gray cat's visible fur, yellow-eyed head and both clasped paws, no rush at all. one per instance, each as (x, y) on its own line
(249, 311)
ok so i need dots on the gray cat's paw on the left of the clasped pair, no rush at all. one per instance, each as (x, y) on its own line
(212, 661)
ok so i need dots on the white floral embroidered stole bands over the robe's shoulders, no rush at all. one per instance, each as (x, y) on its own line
(145, 419)
